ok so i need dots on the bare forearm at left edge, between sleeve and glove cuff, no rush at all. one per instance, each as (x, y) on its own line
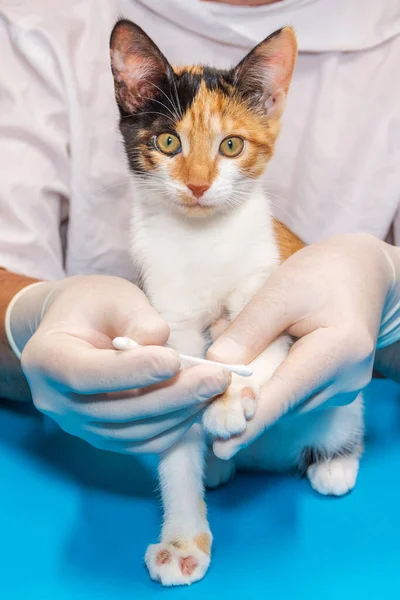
(13, 384)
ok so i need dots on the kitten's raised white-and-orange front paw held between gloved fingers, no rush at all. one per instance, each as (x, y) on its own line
(228, 414)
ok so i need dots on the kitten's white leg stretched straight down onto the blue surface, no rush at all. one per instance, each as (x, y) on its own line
(183, 554)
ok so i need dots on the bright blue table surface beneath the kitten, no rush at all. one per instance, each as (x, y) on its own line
(75, 522)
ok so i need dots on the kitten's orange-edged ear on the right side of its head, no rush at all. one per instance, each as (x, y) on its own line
(264, 75)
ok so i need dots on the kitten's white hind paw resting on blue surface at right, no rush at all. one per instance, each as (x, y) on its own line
(334, 478)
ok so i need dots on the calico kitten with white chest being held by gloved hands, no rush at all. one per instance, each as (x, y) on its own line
(197, 141)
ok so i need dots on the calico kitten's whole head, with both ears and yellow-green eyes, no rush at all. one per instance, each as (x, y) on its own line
(197, 138)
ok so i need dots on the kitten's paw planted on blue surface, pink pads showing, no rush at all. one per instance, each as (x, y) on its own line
(179, 563)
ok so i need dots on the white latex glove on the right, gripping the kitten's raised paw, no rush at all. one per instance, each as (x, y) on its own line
(333, 297)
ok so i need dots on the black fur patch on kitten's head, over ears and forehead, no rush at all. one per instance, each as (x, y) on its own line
(171, 94)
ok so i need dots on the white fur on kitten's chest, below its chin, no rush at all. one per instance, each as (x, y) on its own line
(190, 267)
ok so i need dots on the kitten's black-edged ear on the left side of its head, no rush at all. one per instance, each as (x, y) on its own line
(138, 66)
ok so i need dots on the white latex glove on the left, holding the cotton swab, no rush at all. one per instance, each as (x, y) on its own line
(133, 401)
